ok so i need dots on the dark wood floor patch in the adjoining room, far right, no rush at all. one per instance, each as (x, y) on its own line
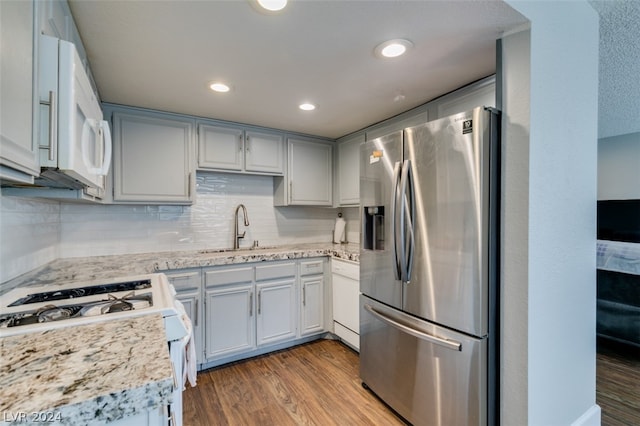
(618, 384)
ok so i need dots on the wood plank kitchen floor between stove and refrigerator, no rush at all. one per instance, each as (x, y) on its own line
(312, 384)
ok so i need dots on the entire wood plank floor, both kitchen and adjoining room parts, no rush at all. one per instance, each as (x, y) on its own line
(318, 384)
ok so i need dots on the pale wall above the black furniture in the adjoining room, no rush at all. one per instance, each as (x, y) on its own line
(619, 167)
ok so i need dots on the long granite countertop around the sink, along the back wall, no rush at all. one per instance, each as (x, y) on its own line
(76, 269)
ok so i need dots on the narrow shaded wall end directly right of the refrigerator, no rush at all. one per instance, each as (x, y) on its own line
(515, 228)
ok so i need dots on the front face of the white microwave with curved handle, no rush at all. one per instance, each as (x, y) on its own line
(84, 138)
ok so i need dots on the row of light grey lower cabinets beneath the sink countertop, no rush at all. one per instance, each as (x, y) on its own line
(249, 309)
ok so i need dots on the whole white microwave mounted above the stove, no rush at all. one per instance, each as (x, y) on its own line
(75, 142)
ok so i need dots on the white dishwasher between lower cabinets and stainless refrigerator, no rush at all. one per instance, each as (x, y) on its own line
(345, 277)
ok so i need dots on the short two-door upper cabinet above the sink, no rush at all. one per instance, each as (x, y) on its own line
(236, 149)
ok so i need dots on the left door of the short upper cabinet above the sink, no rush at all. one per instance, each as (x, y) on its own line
(220, 147)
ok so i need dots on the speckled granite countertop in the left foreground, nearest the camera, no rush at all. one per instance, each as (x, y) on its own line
(95, 372)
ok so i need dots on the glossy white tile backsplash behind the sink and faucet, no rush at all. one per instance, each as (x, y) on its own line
(35, 232)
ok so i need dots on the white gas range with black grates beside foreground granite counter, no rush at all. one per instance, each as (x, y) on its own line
(35, 309)
